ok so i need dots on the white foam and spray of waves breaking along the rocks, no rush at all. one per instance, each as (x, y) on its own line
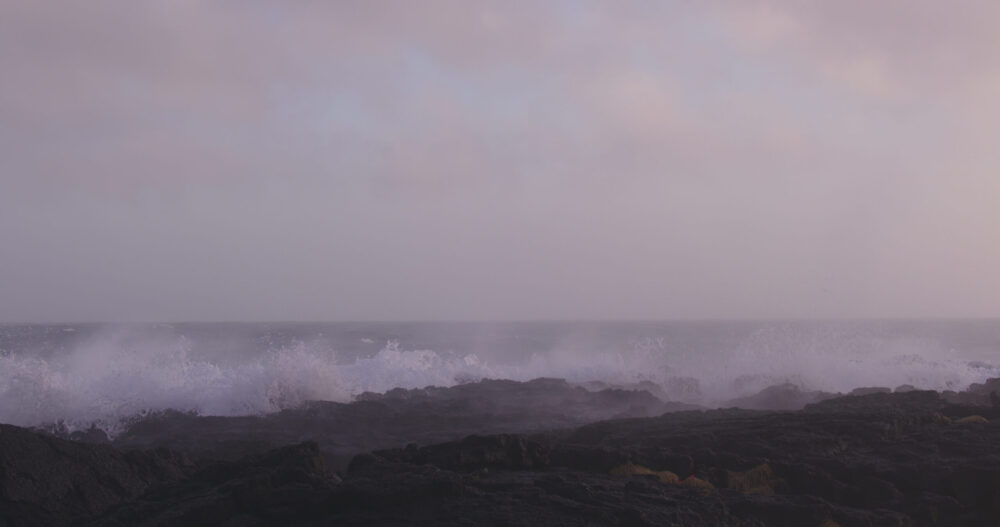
(117, 376)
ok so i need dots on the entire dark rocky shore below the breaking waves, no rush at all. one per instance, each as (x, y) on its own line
(540, 453)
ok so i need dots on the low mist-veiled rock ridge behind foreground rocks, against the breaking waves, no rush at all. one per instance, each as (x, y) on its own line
(398, 417)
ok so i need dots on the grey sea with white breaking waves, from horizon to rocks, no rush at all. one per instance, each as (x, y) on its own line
(100, 374)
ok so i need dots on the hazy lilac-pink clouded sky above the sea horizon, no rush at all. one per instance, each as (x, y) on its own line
(174, 160)
